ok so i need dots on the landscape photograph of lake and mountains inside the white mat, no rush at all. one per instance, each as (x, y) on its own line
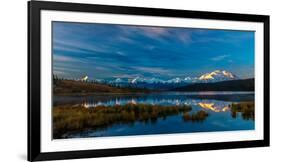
(113, 80)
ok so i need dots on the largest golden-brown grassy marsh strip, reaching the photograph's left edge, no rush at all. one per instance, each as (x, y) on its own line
(70, 119)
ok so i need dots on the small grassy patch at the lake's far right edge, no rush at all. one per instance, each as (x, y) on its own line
(247, 110)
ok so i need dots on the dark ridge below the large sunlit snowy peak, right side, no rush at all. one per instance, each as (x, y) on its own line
(231, 85)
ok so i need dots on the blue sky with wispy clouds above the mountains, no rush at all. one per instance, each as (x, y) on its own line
(106, 51)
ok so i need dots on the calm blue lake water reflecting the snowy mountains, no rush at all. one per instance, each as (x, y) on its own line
(216, 104)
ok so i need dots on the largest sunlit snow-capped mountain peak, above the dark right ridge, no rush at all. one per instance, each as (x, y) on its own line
(217, 75)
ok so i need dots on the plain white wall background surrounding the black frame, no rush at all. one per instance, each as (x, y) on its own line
(13, 80)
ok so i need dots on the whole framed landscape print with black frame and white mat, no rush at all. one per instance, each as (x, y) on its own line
(115, 80)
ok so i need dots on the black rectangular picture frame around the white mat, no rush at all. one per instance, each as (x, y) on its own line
(34, 81)
